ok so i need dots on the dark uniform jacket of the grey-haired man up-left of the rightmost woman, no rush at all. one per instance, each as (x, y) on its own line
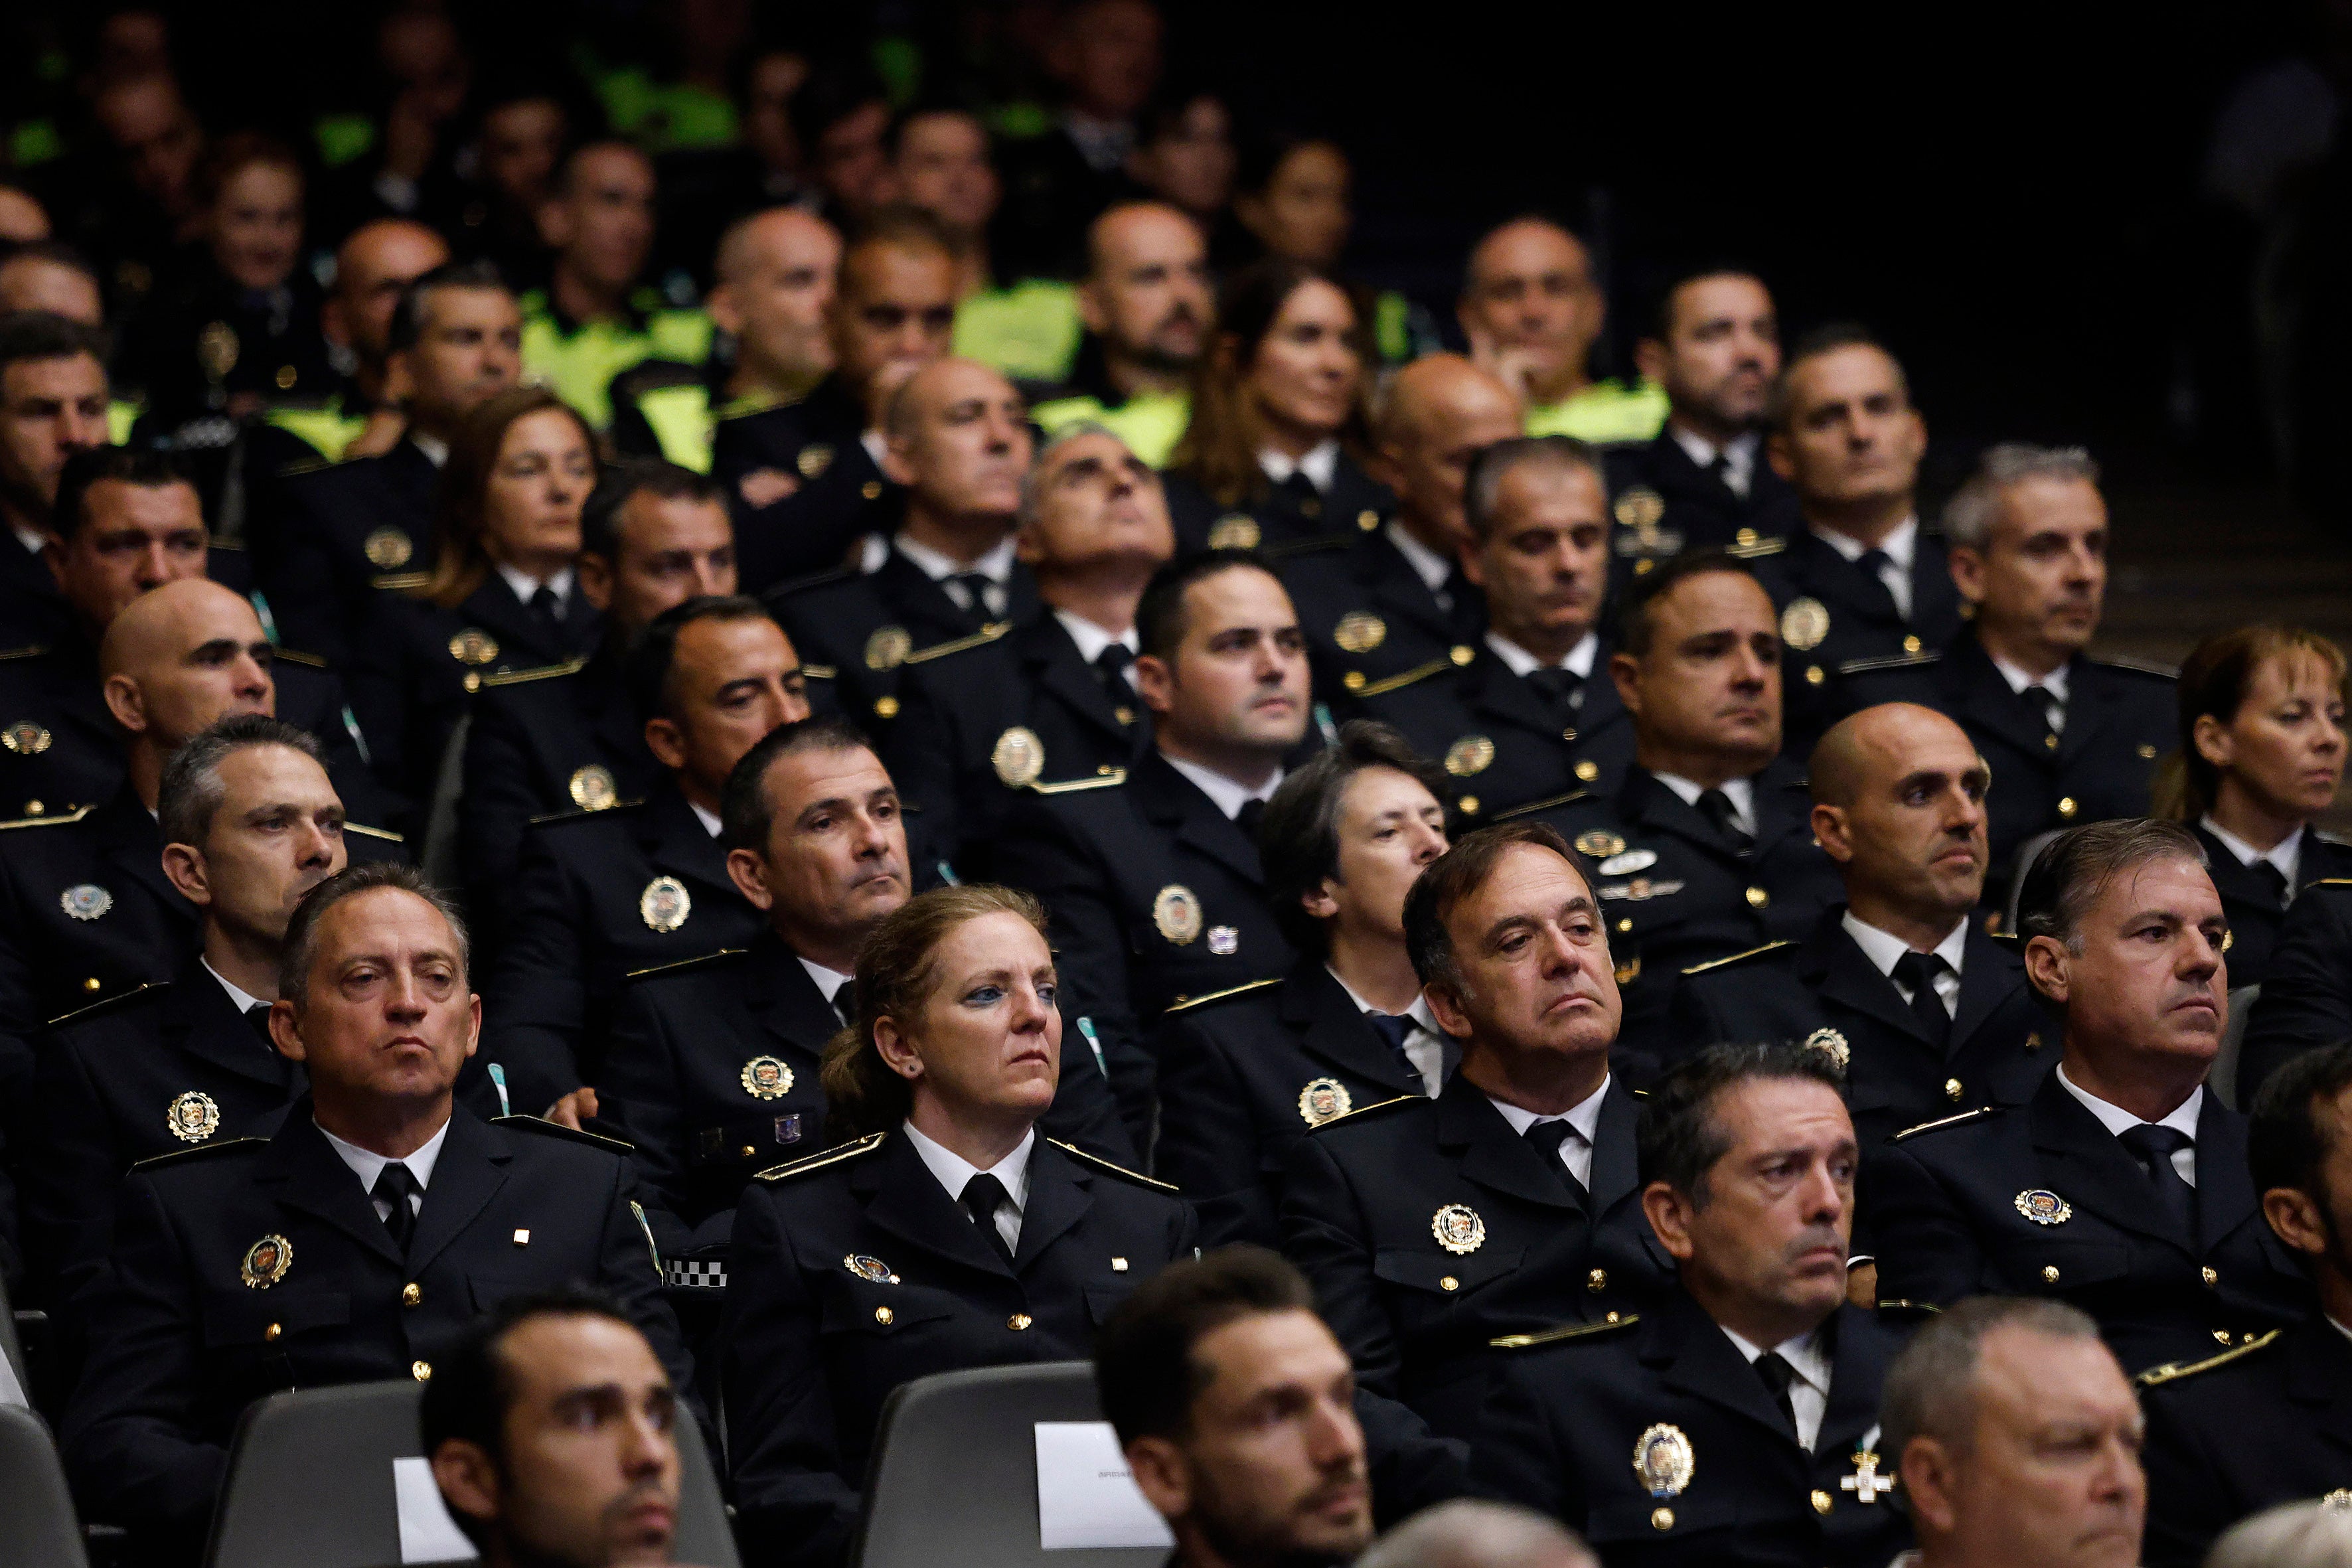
(2120, 721)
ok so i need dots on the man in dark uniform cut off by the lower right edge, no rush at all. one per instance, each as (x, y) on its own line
(2266, 1423)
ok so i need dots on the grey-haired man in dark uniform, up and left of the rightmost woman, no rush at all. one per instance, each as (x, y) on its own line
(2073, 739)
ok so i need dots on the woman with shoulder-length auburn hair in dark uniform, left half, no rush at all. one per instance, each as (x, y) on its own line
(502, 594)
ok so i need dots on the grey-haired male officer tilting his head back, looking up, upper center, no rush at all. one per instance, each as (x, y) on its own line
(1055, 699)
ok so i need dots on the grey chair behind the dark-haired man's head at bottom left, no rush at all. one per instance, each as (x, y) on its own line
(312, 1485)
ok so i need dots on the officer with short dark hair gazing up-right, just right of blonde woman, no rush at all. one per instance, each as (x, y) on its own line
(1250, 1071)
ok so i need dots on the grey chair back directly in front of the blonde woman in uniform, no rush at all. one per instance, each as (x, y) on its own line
(956, 1463)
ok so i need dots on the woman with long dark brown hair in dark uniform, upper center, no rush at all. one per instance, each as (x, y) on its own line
(1278, 417)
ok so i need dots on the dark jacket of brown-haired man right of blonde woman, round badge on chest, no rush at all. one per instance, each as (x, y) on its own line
(1417, 1315)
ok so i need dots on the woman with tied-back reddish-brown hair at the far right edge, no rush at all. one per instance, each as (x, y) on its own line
(2261, 756)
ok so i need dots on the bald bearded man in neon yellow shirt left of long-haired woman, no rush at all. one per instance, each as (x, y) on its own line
(1147, 304)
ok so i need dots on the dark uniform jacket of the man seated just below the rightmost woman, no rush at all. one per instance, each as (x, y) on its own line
(1949, 1214)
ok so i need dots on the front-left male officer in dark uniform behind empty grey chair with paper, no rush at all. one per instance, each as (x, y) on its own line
(354, 1245)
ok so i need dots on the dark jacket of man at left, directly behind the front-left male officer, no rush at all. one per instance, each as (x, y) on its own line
(140, 1076)
